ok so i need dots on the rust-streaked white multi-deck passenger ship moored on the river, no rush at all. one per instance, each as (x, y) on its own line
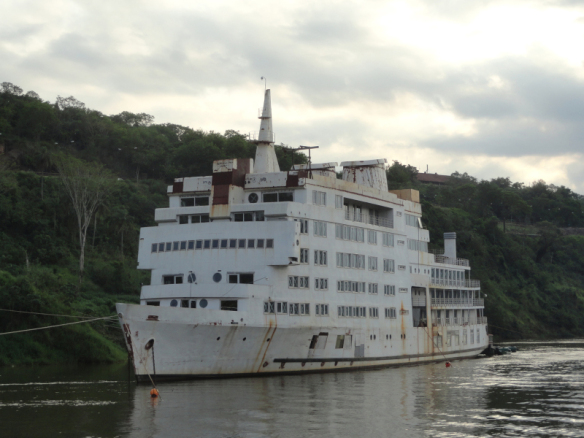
(257, 271)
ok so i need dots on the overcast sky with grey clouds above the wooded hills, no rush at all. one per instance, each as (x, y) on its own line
(492, 88)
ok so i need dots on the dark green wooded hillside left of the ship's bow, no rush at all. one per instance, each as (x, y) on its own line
(39, 243)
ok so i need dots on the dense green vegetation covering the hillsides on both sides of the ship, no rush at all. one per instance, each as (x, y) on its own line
(534, 280)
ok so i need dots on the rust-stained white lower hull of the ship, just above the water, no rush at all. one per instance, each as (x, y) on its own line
(187, 343)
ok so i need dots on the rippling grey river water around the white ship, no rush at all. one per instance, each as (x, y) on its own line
(538, 391)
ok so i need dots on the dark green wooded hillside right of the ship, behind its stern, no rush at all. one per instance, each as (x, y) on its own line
(522, 242)
